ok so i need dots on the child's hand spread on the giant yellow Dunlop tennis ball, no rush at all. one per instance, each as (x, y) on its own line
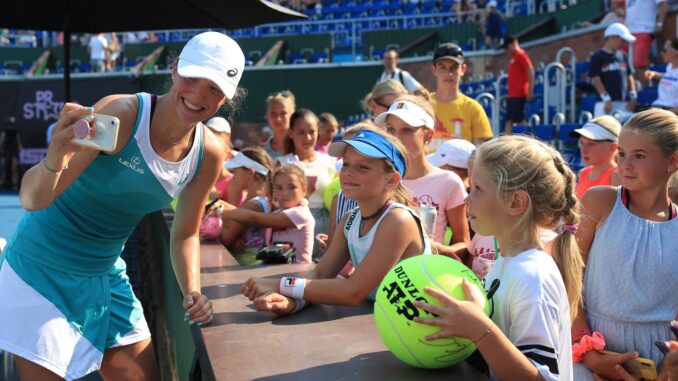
(457, 318)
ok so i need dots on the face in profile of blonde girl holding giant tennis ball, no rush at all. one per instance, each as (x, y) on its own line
(487, 213)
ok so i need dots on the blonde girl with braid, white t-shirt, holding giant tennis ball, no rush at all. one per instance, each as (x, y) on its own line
(518, 184)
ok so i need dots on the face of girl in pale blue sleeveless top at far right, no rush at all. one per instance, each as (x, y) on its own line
(642, 164)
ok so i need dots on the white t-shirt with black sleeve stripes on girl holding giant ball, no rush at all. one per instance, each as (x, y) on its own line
(530, 306)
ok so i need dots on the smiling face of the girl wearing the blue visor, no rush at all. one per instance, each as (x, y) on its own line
(362, 177)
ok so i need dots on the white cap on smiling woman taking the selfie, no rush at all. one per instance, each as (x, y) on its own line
(213, 56)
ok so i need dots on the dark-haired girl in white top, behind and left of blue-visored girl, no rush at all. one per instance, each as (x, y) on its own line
(319, 168)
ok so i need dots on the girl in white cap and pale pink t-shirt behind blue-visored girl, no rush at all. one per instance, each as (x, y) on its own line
(410, 119)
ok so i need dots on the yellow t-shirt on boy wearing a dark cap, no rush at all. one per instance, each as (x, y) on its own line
(461, 118)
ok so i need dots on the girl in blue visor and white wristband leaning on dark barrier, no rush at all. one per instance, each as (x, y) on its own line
(380, 233)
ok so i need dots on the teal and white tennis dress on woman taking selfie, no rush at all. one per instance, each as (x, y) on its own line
(64, 295)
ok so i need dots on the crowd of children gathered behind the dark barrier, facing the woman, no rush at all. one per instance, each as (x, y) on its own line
(508, 208)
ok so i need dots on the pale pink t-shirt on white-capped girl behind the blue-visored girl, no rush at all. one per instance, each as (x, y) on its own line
(441, 188)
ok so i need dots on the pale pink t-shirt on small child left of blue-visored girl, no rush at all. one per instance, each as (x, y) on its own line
(301, 235)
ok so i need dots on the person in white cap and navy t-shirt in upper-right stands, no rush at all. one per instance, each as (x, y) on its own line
(611, 73)
